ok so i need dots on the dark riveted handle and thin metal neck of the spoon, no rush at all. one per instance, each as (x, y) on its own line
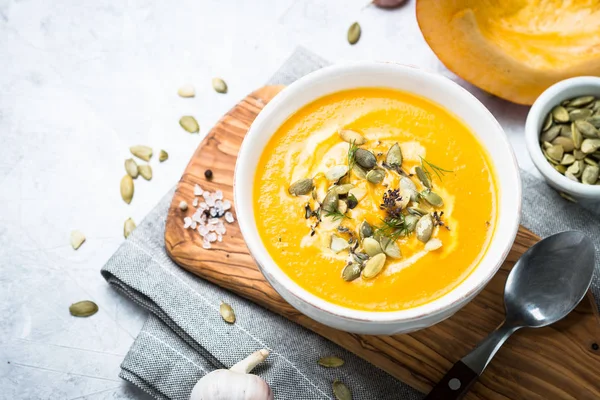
(457, 382)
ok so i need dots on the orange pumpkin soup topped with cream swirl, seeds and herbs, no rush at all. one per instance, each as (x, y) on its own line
(375, 199)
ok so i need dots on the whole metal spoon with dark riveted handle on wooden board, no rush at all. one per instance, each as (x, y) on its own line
(546, 284)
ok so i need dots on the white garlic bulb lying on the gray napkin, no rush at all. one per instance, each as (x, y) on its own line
(236, 383)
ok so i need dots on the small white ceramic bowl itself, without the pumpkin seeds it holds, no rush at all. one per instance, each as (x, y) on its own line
(569, 88)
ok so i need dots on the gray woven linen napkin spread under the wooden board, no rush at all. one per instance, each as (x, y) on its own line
(184, 337)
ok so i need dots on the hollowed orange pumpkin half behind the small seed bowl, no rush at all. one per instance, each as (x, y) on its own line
(514, 49)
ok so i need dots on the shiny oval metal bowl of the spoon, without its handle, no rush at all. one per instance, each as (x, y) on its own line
(549, 280)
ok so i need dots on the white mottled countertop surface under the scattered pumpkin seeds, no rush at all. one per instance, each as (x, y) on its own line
(80, 82)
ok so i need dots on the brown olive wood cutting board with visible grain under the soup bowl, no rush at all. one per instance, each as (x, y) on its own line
(557, 362)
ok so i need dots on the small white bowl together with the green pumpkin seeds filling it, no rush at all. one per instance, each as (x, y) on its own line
(563, 138)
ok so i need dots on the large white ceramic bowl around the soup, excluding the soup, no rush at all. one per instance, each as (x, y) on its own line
(440, 90)
